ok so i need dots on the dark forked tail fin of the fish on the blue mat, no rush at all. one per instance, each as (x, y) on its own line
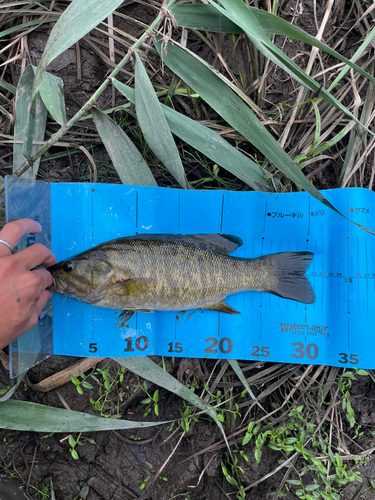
(291, 282)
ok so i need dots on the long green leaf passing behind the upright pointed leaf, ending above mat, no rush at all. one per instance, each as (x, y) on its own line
(209, 143)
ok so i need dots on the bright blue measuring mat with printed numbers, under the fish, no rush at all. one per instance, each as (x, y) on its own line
(338, 329)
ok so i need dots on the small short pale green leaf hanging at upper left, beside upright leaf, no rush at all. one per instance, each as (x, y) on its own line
(52, 94)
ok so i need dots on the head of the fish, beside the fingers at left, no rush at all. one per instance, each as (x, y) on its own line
(86, 277)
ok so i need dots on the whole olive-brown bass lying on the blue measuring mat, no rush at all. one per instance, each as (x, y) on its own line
(174, 272)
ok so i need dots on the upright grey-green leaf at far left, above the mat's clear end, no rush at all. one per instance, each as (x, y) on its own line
(30, 123)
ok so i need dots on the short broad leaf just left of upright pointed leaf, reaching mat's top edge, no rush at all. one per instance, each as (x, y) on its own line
(127, 160)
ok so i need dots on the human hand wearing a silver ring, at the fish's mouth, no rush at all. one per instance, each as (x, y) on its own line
(23, 291)
